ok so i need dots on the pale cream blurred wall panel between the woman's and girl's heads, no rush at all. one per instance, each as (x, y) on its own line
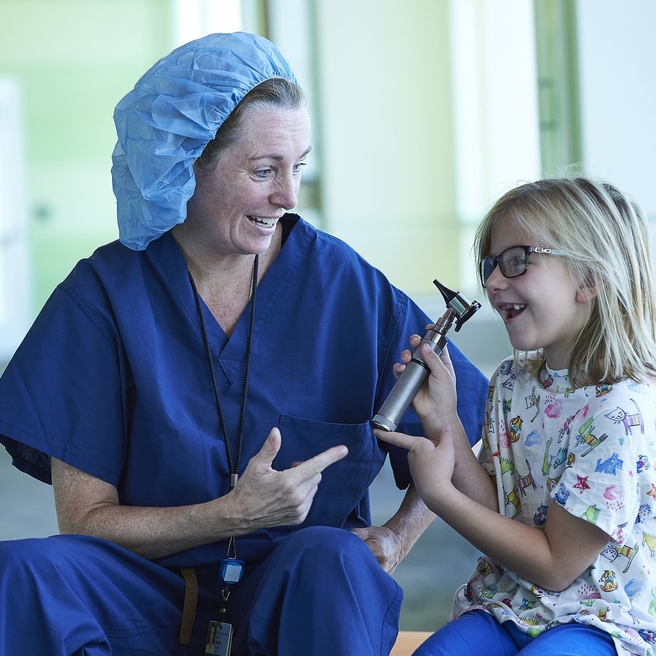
(387, 152)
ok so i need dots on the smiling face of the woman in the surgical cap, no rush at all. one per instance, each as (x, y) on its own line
(252, 183)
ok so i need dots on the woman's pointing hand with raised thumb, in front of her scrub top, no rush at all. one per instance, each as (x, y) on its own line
(265, 497)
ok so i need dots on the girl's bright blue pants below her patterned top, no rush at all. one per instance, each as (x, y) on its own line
(477, 632)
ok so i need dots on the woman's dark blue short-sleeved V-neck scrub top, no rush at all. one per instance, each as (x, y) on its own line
(113, 378)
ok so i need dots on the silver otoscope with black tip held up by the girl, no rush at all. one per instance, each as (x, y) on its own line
(459, 309)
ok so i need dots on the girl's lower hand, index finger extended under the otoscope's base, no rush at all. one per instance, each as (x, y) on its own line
(431, 461)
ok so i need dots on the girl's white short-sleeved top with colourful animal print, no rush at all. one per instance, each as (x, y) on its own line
(592, 451)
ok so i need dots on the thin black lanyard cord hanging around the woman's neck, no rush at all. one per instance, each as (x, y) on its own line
(234, 468)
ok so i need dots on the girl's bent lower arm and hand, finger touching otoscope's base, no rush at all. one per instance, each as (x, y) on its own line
(552, 559)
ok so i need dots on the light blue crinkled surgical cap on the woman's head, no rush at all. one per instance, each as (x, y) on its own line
(169, 117)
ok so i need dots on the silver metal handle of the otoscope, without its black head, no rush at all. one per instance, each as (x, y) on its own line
(413, 376)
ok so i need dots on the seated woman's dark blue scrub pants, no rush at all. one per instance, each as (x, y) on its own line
(320, 592)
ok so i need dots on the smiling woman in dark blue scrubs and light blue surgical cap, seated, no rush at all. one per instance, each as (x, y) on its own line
(199, 394)
